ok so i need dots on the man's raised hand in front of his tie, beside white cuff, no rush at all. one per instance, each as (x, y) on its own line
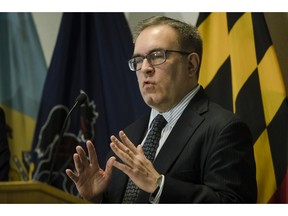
(135, 164)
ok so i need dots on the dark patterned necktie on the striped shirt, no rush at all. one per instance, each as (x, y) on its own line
(150, 146)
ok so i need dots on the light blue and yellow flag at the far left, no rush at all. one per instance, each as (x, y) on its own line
(22, 74)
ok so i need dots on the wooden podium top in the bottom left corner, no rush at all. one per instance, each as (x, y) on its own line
(34, 192)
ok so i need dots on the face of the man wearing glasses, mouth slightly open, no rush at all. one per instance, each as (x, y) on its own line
(163, 86)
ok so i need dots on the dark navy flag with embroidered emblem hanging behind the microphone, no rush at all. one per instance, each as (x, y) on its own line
(90, 56)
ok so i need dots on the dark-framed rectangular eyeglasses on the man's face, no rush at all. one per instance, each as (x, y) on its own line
(155, 58)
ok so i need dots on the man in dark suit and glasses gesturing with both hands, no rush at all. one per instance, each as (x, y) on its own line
(205, 154)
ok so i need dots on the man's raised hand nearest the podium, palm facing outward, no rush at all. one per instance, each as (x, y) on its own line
(90, 180)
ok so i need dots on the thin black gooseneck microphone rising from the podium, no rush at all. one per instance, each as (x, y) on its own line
(82, 97)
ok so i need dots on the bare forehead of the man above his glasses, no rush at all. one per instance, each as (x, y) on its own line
(156, 37)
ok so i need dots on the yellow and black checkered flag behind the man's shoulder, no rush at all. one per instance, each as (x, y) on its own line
(241, 72)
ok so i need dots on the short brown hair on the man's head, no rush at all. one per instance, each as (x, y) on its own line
(189, 38)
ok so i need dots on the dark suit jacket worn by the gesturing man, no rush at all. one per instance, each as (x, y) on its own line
(207, 158)
